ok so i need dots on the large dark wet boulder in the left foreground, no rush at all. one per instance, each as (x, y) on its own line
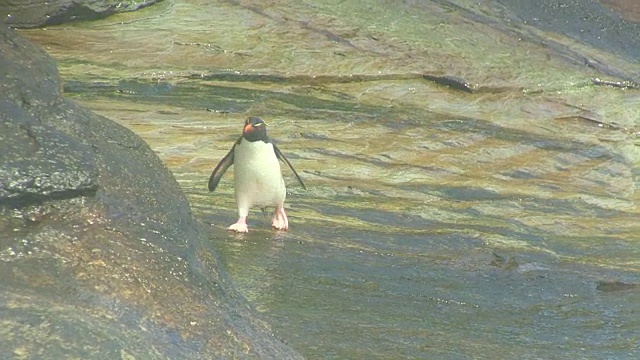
(100, 256)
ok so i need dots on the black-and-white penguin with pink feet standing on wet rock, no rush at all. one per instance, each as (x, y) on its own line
(258, 178)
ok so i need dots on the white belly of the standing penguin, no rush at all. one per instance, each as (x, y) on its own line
(258, 178)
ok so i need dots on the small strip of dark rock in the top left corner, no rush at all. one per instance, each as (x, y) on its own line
(36, 13)
